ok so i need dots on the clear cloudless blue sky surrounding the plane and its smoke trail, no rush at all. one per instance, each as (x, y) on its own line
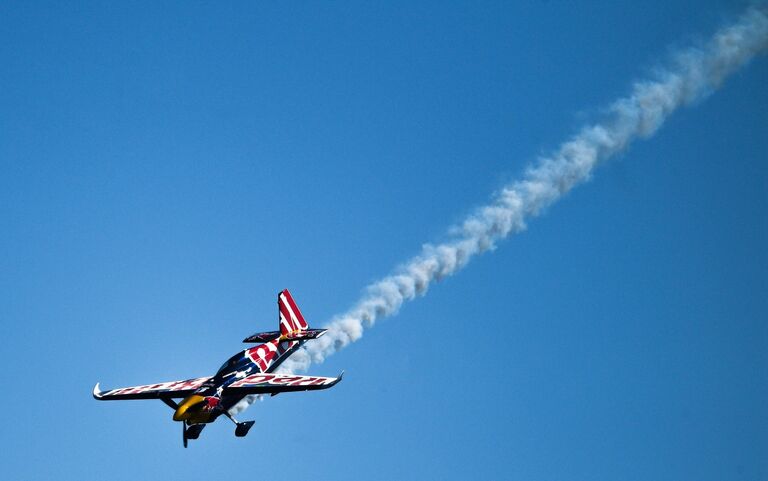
(165, 169)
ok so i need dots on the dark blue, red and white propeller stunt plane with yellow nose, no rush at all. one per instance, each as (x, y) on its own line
(248, 372)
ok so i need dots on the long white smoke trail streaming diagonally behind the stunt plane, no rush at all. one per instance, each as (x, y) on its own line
(694, 74)
